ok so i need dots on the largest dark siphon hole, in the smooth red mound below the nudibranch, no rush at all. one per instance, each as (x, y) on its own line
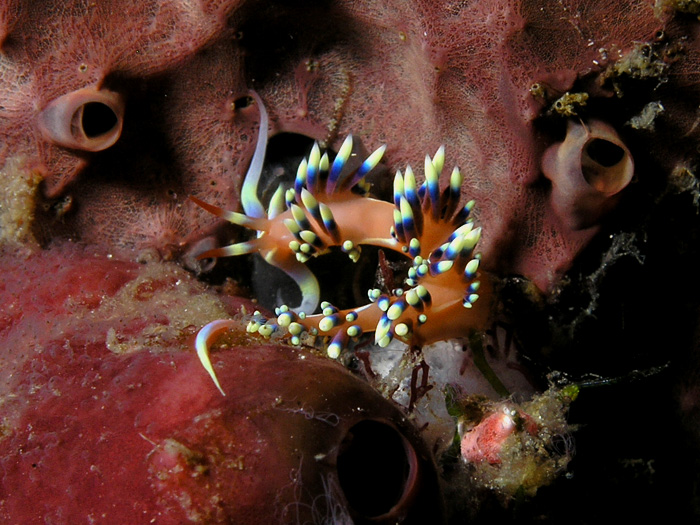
(373, 468)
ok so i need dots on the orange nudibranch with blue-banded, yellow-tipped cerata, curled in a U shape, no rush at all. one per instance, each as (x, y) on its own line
(328, 206)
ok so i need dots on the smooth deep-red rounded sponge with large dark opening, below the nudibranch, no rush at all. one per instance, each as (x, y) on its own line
(108, 415)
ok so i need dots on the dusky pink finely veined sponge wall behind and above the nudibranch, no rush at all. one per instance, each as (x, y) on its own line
(412, 76)
